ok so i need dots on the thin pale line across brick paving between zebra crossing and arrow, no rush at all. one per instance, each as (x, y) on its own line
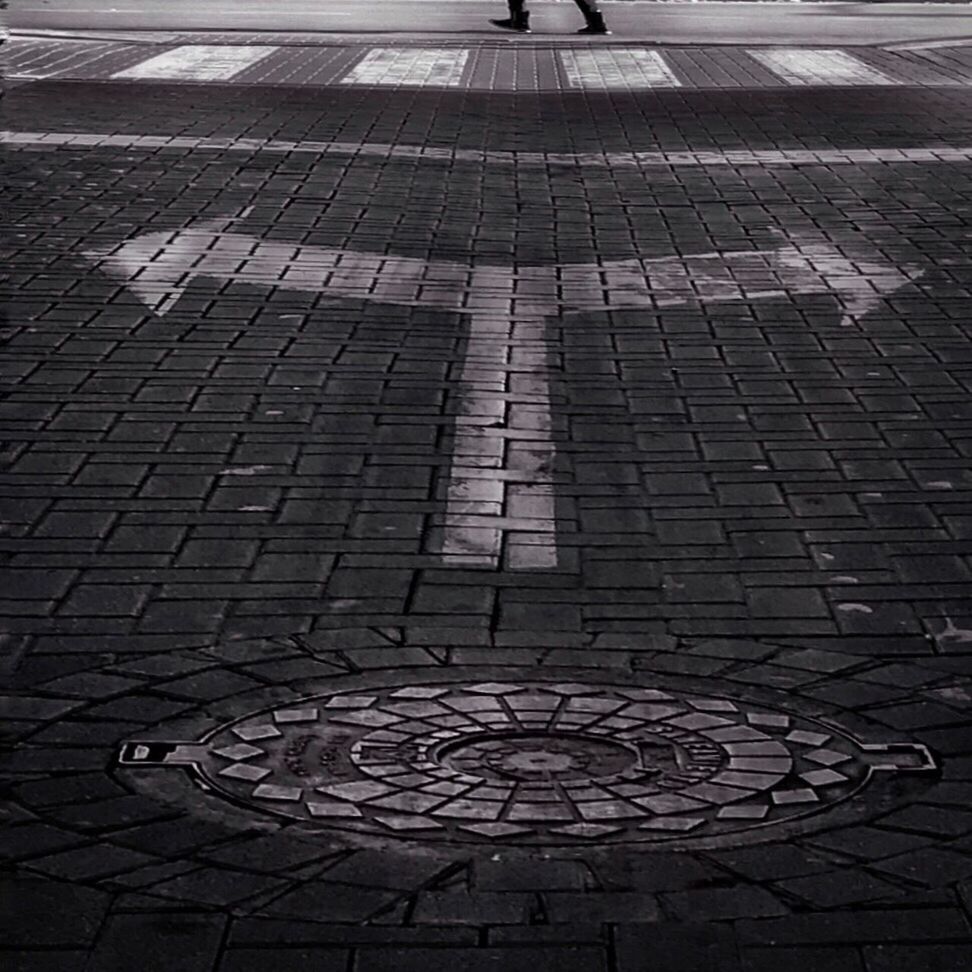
(735, 157)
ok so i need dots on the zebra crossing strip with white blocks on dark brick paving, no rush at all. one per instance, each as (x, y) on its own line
(486, 68)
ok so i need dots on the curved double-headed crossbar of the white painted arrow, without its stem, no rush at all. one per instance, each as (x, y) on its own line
(159, 266)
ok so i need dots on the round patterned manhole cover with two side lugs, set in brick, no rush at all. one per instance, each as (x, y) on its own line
(532, 761)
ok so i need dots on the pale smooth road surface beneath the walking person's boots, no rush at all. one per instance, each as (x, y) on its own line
(660, 22)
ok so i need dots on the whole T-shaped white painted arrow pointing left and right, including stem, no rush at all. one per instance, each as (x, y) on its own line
(507, 309)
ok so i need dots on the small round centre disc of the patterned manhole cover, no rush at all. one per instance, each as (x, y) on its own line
(539, 756)
